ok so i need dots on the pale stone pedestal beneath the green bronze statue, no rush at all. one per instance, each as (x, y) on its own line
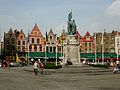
(71, 50)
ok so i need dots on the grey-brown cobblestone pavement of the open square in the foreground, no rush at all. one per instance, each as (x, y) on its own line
(71, 78)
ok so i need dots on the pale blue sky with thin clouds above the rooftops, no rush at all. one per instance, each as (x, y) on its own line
(89, 15)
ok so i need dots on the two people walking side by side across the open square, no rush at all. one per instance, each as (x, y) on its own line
(38, 65)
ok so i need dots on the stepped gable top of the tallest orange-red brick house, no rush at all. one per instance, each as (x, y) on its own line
(34, 30)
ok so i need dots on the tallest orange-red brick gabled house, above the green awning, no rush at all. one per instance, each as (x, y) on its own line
(36, 40)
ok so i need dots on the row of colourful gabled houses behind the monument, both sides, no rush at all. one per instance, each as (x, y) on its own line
(17, 46)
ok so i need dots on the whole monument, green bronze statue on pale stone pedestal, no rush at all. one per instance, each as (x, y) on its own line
(71, 44)
